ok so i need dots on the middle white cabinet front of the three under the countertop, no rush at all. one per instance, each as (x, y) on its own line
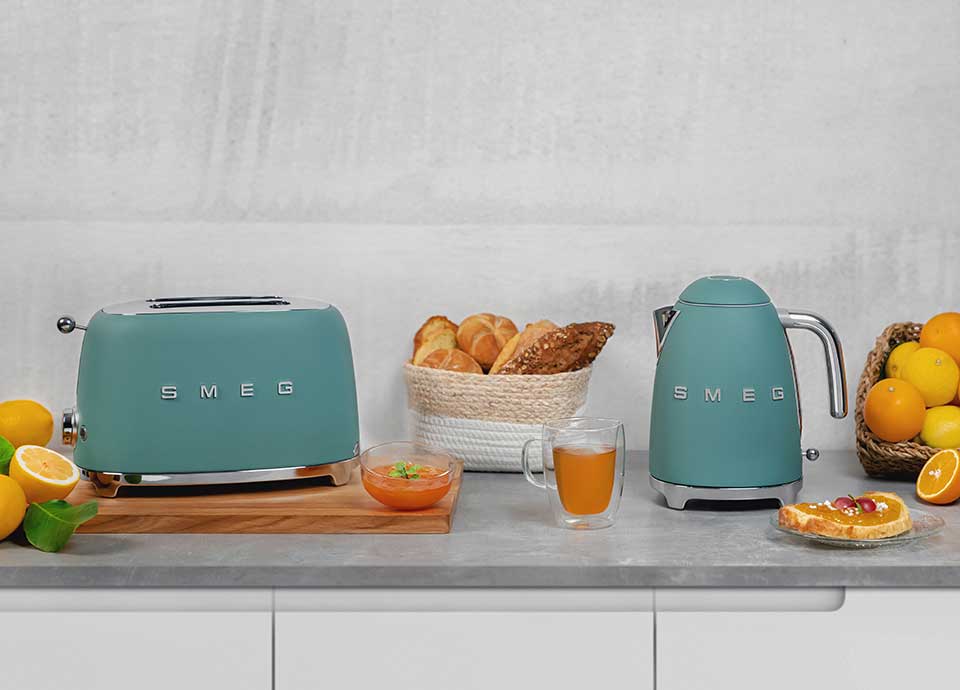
(464, 639)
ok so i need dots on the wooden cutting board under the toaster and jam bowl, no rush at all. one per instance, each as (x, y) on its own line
(294, 508)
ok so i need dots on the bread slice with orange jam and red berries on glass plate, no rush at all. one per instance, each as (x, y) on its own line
(874, 515)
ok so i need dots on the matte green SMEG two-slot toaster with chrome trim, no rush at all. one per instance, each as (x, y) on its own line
(213, 390)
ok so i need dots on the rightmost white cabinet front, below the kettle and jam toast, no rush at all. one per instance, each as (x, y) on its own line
(789, 639)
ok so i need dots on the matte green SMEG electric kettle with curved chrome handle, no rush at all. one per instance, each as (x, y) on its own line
(725, 421)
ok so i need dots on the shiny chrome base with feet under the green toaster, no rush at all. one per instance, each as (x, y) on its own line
(107, 484)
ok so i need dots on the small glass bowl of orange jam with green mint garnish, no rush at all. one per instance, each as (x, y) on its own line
(405, 475)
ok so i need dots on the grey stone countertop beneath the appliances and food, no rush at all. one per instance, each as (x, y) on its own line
(502, 536)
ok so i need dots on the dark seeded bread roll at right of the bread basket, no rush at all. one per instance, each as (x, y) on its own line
(569, 348)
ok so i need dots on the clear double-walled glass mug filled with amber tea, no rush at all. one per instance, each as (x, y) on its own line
(583, 467)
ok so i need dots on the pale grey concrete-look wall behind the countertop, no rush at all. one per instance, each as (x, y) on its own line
(571, 160)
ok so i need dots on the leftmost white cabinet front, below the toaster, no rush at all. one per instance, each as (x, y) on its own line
(120, 639)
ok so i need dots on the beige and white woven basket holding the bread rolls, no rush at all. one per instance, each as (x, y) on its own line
(485, 420)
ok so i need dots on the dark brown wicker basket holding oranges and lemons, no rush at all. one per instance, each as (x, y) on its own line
(880, 458)
